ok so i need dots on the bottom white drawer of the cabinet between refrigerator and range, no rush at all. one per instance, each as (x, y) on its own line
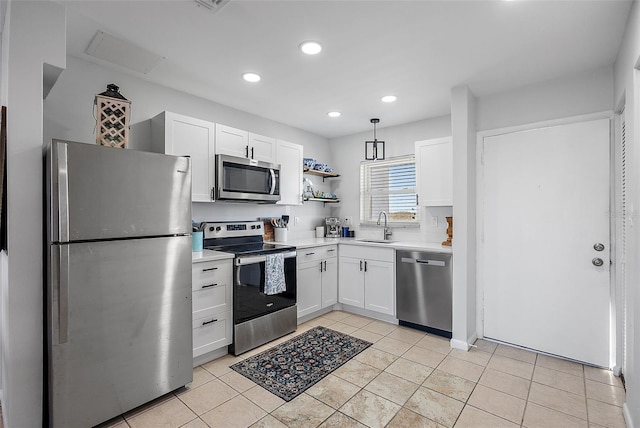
(211, 333)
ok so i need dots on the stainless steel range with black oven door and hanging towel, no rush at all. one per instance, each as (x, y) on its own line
(261, 313)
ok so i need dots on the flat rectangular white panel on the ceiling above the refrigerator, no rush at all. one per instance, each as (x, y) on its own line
(122, 52)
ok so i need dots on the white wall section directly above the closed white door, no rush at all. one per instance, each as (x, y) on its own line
(586, 92)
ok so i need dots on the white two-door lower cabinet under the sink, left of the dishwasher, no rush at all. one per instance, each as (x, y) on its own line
(367, 278)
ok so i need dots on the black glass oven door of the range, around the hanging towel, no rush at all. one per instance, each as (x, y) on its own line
(249, 299)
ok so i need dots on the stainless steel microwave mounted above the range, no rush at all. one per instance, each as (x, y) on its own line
(248, 180)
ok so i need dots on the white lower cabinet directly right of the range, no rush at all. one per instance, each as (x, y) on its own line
(317, 279)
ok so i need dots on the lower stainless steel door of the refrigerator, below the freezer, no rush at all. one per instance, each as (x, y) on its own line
(119, 326)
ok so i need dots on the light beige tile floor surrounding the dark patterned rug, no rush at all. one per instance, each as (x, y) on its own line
(406, 379)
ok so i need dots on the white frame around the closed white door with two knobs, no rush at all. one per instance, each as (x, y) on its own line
(480, 198)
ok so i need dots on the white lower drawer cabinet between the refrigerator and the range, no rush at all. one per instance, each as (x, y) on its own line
(212, 302)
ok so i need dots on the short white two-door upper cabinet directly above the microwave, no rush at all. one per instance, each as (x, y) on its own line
(236, 142)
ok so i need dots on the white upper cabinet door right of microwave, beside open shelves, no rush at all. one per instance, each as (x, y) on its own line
(289, 156)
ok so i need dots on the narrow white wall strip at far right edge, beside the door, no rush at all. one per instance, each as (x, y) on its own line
(627, 92)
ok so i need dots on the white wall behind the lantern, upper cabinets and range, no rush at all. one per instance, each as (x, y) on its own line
(68, 115)
